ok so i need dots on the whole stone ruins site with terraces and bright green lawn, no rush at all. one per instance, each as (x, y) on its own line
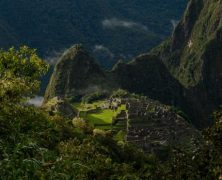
(145, 123)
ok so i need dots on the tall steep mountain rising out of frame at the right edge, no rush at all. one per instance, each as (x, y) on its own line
(195, 60)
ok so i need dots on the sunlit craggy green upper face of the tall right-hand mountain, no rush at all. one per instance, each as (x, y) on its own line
(197, 37)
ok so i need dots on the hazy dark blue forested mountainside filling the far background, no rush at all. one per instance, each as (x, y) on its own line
(110, 29)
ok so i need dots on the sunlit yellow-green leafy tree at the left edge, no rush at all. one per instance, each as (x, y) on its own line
(20, 73)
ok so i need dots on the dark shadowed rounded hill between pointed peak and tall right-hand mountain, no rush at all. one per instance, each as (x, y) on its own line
(147, 75)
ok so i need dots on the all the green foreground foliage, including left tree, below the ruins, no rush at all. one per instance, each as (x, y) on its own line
(34, 145)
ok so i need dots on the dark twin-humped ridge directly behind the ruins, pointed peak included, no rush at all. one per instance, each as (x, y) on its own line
(77, 74)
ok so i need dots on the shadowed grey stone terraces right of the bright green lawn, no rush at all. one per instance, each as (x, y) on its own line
(152, 126)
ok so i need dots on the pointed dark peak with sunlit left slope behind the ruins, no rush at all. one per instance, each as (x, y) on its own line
(76, 74)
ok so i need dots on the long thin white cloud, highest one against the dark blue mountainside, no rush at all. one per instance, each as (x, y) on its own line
(114, 23)
